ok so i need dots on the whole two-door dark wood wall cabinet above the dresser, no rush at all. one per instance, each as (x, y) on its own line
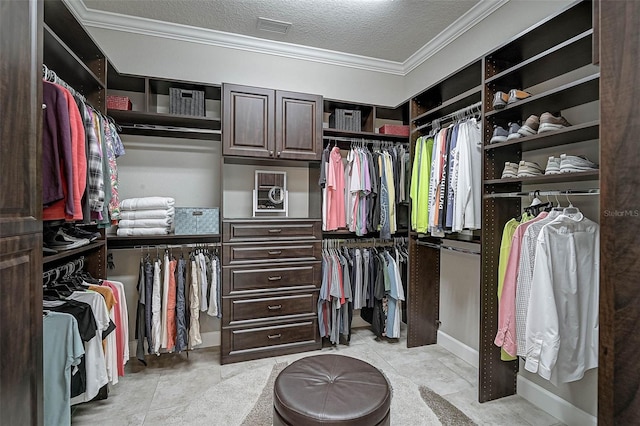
(266, 123)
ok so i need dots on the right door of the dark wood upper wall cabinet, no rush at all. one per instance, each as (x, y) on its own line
(298, 126)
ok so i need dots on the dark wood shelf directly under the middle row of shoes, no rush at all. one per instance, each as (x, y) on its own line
(568, 135)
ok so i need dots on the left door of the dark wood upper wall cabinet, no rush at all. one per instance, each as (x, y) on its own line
(248, 122)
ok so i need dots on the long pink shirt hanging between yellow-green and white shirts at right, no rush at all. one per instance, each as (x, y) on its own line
(506, 336)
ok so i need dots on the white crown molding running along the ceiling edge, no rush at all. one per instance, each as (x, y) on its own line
(149, 27)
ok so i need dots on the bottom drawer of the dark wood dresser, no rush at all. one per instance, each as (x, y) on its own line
(263, 338)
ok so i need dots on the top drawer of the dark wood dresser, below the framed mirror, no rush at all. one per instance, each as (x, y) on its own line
(271, 230)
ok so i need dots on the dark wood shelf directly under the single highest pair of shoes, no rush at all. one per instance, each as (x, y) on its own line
(578, 92)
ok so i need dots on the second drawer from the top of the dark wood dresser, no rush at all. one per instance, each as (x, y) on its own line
(267, 252)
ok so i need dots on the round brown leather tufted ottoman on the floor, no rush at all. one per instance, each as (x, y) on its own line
(331, 390)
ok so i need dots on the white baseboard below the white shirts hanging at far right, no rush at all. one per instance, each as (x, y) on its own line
(553, 404)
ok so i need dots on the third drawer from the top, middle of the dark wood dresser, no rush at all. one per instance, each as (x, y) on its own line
(244, 280)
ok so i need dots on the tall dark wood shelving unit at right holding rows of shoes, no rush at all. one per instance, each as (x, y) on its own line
(556, 51)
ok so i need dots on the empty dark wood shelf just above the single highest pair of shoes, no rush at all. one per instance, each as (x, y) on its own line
(567, 56)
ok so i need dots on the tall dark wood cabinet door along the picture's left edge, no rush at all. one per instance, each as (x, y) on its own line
(21, 398)
